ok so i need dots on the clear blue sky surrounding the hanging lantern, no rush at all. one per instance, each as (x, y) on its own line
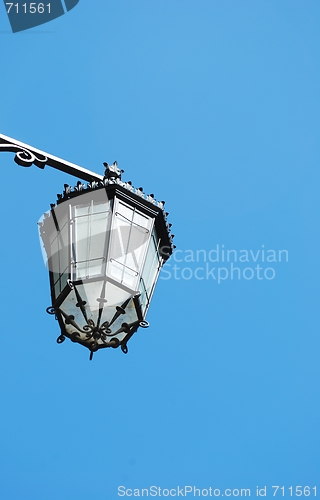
(213, 105)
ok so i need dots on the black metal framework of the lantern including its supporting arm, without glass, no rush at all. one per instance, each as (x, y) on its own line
(26, 156)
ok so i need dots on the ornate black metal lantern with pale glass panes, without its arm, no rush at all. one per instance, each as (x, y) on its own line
(105, 243)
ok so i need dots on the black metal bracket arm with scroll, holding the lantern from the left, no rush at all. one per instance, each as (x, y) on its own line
(28, 155)
